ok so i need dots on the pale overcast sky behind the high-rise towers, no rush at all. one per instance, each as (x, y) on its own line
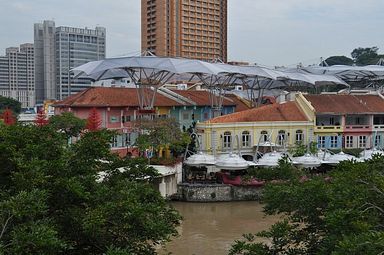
(266, 32)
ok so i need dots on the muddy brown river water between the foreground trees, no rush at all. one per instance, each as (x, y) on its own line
(211, 228)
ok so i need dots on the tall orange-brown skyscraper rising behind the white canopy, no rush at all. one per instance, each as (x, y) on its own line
(185, 28)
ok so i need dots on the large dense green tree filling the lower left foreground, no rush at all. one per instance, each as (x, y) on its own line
(76, 199)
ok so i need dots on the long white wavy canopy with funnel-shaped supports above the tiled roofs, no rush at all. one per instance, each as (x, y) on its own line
(151, 72)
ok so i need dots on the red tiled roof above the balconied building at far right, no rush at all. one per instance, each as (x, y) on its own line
(346, 104)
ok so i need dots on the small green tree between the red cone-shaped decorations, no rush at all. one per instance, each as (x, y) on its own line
(67, 123)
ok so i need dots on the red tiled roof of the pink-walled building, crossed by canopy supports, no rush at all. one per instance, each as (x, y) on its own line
(114, 97)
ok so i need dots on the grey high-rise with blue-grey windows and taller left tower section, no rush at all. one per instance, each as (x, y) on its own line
(58, 50)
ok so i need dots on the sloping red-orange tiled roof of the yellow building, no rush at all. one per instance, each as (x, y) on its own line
(288, 111)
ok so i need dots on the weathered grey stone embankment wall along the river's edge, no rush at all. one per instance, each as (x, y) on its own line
(217, 193)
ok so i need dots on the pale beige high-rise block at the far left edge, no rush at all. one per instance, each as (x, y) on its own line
(17, 72)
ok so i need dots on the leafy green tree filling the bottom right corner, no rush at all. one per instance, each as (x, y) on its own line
(340, 214)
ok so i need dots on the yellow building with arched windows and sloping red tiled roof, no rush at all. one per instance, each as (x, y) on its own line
(285, 124)
